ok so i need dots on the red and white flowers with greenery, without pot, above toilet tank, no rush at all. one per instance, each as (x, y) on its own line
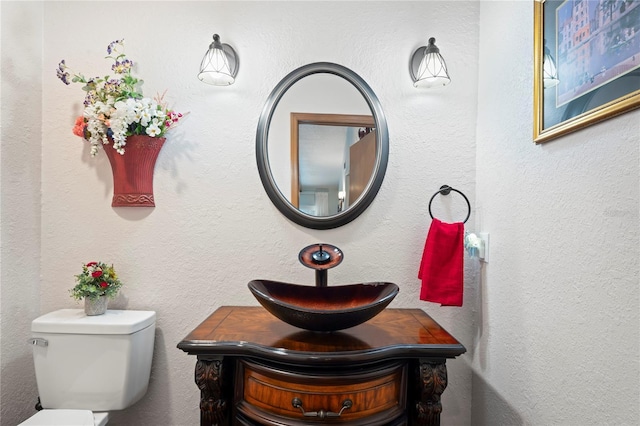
(97, 279)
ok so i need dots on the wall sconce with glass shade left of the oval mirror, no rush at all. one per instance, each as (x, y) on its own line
(219, 65)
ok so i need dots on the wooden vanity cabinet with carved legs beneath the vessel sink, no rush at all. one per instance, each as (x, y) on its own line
(253, 369)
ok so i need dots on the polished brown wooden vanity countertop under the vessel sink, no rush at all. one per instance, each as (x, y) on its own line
(394, 333)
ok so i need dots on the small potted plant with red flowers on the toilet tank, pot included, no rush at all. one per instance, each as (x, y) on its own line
(95, 284)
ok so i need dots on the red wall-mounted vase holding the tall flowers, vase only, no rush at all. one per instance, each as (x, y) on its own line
(133, 171)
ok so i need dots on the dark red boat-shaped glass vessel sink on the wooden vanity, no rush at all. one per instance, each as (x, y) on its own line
(328, 308)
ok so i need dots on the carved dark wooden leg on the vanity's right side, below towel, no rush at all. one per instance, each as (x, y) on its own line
(432, 381)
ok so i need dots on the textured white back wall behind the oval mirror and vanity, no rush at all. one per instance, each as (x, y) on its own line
(214, 228)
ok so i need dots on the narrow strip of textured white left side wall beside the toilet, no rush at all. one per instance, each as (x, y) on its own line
(20, 154)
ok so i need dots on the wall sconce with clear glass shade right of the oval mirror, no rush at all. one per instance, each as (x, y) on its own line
(427, 66)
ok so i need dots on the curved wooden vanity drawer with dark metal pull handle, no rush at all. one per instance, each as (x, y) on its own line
(276, 395)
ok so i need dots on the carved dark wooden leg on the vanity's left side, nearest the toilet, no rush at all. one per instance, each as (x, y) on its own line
(213, 405)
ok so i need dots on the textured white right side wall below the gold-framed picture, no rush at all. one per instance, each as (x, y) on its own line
(557, 321)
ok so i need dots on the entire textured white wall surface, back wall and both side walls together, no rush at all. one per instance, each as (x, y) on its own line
(552, 332)
